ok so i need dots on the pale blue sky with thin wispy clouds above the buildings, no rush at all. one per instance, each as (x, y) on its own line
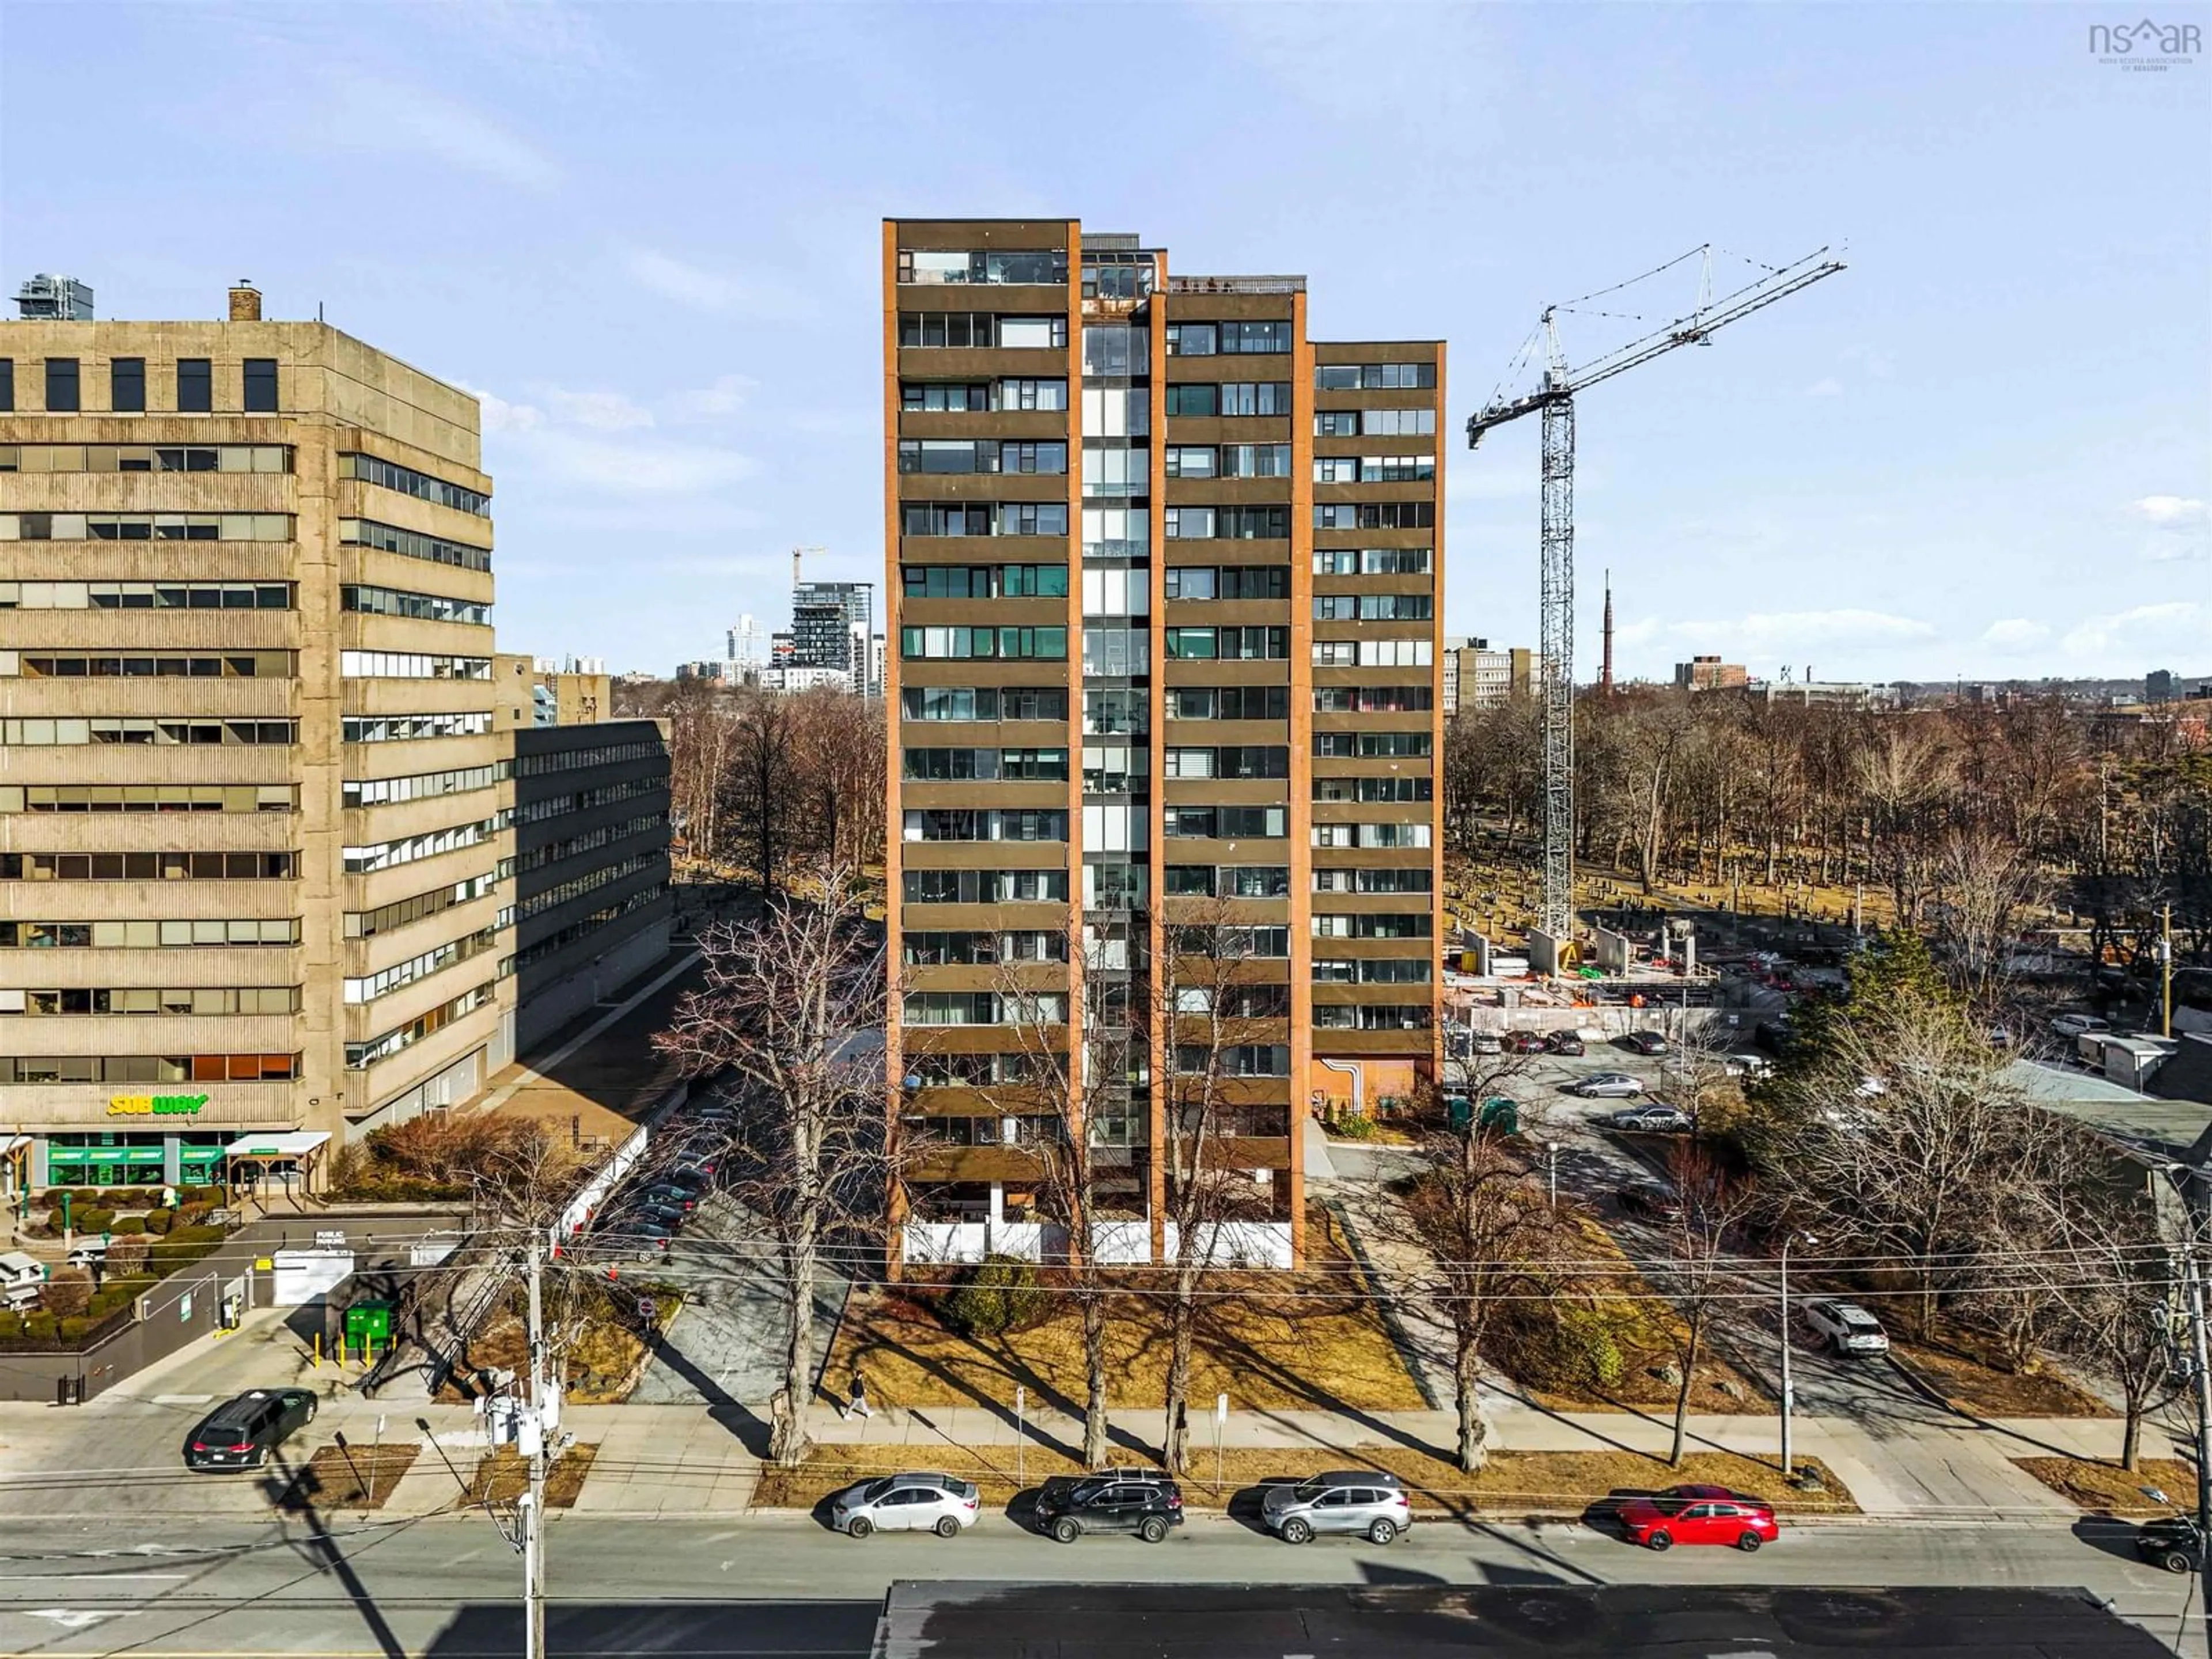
(649, 236)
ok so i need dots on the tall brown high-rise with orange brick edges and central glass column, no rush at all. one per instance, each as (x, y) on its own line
(1167, 581)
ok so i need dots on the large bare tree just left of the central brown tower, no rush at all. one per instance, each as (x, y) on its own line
(780, 1016)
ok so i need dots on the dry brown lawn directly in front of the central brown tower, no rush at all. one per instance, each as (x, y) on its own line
(1304, 1339)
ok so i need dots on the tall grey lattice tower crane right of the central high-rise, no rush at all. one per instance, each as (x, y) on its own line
(1556, 634)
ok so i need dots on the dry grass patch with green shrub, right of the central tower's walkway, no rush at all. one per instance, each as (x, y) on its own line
(1642, 1331)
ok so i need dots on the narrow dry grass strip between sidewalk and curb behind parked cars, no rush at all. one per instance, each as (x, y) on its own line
(1512, 1483)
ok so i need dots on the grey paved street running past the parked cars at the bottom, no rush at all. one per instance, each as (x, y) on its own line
(446, 1587)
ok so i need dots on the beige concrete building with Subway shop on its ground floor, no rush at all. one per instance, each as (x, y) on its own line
(258, 775)
